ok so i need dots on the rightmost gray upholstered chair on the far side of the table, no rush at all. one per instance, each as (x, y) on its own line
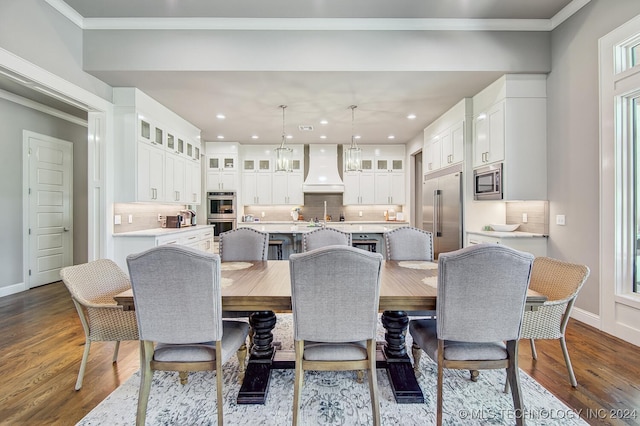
(408, 243)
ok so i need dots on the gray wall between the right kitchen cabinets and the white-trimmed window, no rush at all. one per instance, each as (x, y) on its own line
(573, 137)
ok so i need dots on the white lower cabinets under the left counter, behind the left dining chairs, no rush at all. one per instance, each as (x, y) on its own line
(199, 237)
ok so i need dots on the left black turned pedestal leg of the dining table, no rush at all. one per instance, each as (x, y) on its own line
(256, 380)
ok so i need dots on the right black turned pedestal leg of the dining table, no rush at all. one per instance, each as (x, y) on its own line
(401, 376)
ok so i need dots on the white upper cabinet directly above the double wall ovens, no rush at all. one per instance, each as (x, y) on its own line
(222, 166)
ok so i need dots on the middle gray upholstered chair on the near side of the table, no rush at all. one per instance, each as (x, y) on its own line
(334, 324)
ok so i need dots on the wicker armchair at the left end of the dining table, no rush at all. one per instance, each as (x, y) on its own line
(92, 286)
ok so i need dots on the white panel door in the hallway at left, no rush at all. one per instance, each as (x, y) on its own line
(50, 208)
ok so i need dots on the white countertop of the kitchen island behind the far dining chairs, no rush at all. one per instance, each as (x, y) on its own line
(302, 227)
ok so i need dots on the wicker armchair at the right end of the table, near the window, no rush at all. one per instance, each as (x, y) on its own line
(560, 282)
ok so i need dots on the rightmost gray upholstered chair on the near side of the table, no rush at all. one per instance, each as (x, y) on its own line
(482, 290)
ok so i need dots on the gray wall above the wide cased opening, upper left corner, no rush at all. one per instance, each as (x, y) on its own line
(38, 33)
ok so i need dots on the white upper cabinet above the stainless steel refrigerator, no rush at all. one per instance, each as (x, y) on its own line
(444, 139)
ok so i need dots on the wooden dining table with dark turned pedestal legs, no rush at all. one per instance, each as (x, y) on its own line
(264, 288)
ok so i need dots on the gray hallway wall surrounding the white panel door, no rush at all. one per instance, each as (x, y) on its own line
(14, 119)
